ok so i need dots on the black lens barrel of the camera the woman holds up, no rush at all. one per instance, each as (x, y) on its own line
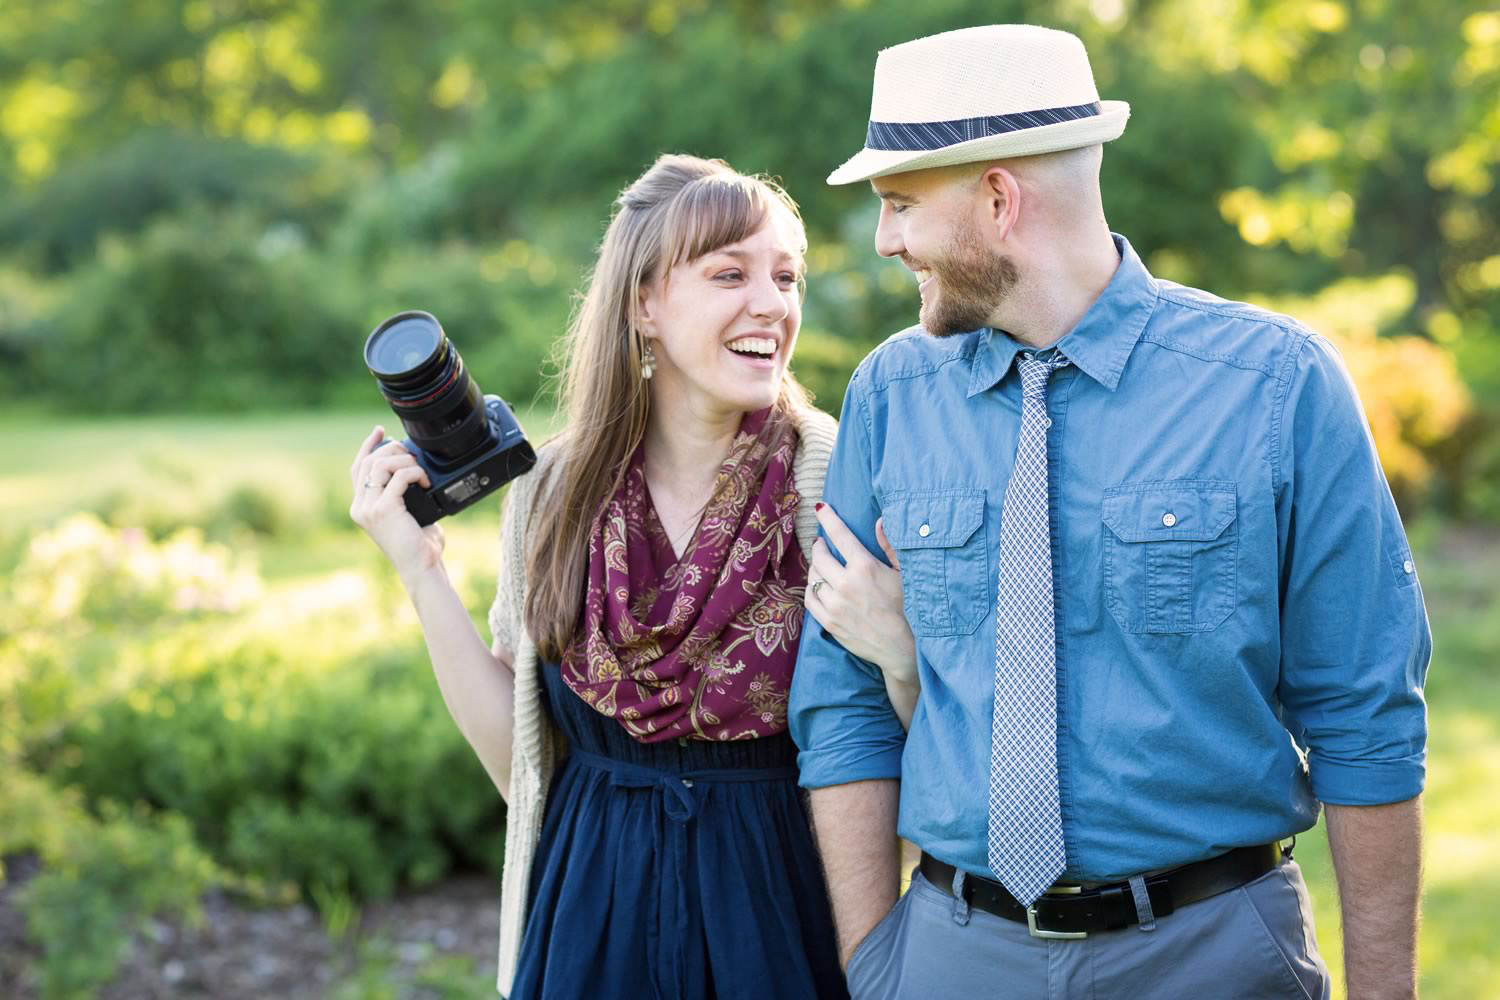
(424, 380)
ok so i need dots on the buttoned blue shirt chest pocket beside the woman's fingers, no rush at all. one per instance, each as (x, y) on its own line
(941, 540)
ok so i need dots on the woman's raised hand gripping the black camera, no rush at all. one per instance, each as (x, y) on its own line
(382, 475)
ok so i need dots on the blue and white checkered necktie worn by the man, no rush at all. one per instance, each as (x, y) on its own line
(1025, 845)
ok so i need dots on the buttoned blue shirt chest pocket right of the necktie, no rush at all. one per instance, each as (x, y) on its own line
(1171, 555)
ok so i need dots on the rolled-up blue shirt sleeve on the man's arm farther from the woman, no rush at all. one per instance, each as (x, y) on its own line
(1355, 639)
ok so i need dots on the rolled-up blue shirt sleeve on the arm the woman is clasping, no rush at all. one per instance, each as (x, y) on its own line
(839, 713)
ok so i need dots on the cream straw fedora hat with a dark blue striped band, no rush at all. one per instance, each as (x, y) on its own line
(982, 94)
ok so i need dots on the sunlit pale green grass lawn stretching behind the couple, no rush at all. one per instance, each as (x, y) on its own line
(182, 469)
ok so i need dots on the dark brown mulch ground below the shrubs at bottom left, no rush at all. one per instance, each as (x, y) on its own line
(241, 953)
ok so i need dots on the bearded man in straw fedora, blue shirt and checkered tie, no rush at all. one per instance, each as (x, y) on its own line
(1163, 600)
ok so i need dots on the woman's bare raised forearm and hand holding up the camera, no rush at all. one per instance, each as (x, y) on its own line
(478, 683)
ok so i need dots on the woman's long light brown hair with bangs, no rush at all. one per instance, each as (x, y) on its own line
(679, 211)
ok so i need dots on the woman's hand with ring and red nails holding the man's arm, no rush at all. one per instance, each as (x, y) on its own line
(859, 602)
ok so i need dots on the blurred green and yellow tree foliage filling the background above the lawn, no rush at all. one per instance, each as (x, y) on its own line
(421, 152)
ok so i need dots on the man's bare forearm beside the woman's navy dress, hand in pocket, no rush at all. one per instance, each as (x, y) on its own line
(856, 828)
